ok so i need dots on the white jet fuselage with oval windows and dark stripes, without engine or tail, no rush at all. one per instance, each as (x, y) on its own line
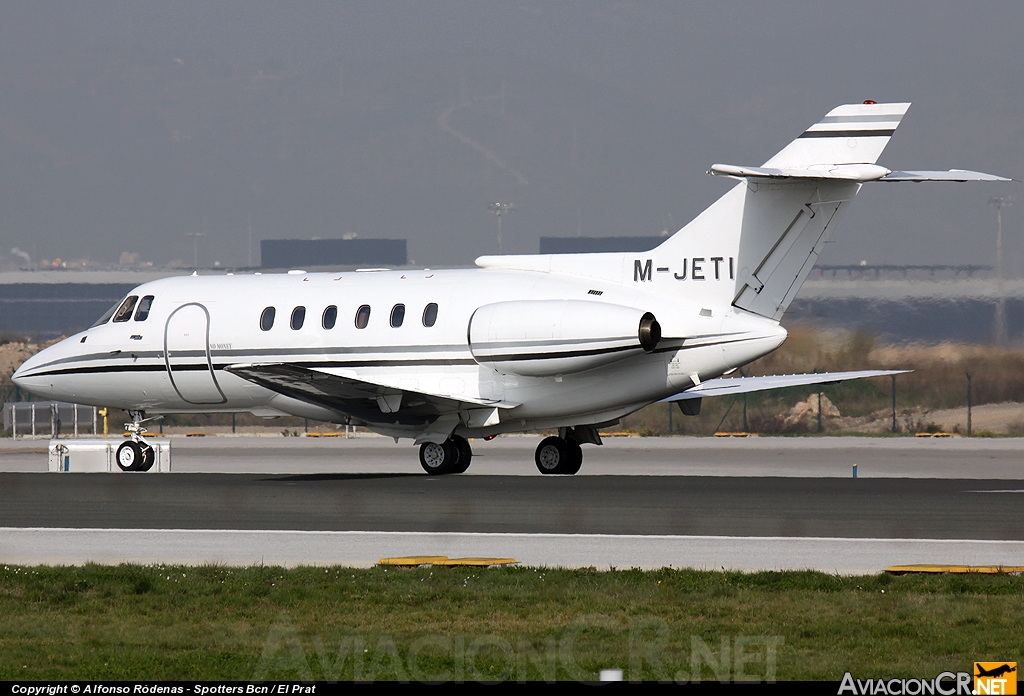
(176, 359)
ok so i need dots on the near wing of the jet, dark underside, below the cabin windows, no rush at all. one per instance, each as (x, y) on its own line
(364, 400)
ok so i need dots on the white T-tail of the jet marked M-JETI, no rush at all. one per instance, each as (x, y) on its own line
(754, 248)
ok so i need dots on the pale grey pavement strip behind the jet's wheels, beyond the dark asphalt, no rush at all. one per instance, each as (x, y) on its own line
(756, 457)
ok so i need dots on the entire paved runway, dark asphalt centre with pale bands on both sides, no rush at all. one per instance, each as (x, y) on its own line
(774, 504)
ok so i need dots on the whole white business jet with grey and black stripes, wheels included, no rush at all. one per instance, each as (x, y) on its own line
(570, 342)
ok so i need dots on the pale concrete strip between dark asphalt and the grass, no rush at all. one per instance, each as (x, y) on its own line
(39, 546)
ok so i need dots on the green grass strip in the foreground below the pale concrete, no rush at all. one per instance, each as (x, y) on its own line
(336, 624)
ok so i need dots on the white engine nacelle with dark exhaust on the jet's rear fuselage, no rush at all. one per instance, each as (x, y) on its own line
(541, 338)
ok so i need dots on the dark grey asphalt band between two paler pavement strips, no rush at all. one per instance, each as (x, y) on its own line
(946, 509)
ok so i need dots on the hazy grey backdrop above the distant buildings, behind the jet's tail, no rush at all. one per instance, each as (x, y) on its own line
(731, 82)
